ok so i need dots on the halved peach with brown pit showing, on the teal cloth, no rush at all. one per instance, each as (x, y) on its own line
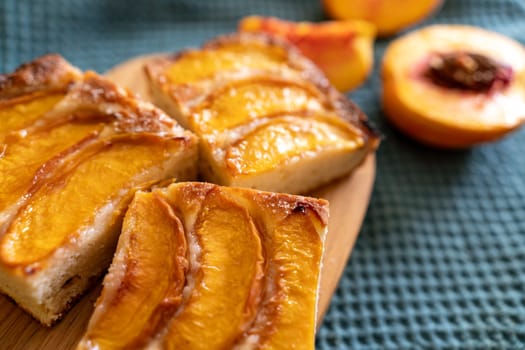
(454, 86)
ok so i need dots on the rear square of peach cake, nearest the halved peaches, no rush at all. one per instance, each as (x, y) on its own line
(266, 116)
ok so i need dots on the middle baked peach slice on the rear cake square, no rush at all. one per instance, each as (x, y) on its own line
(240, 102)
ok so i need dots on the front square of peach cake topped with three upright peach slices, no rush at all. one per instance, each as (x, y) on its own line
(201, 266)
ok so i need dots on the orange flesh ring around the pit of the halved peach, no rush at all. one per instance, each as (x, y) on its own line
(447, 117)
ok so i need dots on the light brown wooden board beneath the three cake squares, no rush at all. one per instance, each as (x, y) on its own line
(348, 199)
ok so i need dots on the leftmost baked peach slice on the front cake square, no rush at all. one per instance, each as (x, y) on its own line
(144, 286)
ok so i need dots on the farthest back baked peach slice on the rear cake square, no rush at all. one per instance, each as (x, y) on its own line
(193, 66)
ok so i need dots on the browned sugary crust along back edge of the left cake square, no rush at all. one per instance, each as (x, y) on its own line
(89, 91)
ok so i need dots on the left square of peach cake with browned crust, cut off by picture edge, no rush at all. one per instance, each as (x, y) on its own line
(74, 149)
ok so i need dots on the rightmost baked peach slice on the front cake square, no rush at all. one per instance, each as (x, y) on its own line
(294, 250)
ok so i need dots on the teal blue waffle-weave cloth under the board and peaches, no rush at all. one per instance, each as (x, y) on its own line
(440, 262)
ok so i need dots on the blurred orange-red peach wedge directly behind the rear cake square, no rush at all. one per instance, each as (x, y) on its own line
(343, 50)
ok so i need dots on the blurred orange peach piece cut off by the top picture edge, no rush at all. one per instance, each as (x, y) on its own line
(389, 16)
